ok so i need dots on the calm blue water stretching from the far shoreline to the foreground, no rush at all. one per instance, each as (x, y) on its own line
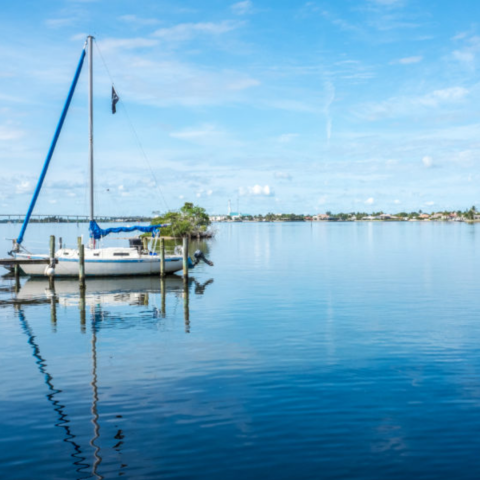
(332, 350)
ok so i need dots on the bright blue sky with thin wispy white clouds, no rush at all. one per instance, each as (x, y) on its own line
(288, 106)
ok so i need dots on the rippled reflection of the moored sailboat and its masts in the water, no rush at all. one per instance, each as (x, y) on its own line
(98, 295)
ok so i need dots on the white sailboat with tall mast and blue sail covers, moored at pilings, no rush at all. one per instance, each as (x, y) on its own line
(112, 261)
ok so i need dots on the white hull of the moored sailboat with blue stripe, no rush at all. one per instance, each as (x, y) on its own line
(104, 262)
